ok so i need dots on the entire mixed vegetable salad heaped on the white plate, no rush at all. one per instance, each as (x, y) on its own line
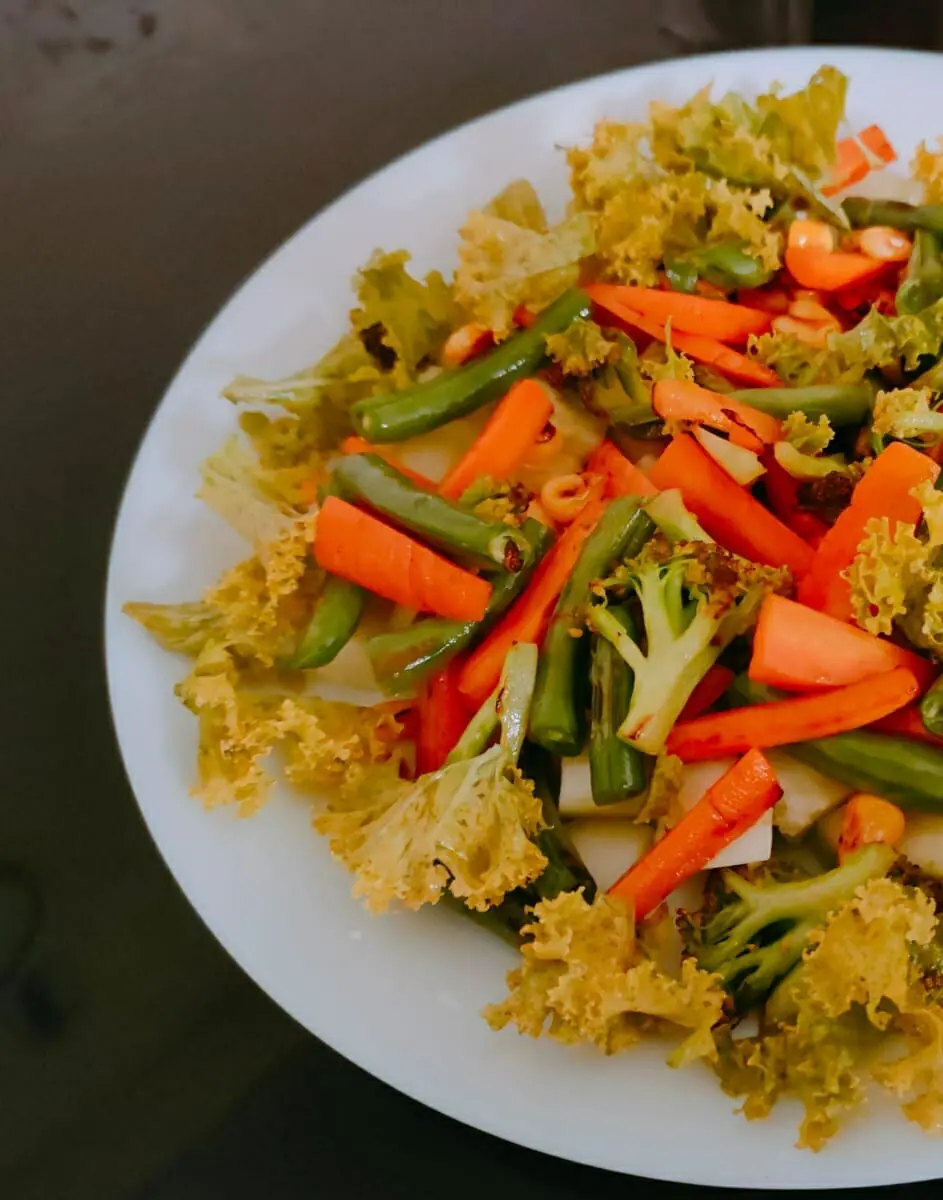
(630, 539)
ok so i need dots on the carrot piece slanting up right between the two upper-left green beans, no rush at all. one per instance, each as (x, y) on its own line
(510, 434)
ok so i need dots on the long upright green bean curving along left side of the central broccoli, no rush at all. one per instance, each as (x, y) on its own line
(558, 722)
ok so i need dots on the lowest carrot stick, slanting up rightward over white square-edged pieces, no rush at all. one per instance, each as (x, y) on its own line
(724, 813)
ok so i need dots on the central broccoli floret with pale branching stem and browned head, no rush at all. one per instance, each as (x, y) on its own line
(695, 598)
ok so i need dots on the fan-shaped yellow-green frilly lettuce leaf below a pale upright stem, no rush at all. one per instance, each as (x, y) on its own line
(467, 827)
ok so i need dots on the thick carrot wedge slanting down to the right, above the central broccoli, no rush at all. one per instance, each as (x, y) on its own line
(728, 512)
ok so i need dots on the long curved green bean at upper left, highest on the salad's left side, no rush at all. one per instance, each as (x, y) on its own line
(453, 394)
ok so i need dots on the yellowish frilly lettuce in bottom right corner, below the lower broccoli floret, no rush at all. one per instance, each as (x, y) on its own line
(834, 1022)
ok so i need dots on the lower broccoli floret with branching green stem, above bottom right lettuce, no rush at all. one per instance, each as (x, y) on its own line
(758, 933)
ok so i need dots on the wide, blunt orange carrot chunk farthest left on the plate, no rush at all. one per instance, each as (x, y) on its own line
(362, 549)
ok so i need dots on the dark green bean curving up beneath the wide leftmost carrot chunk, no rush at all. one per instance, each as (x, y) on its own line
(404, 659)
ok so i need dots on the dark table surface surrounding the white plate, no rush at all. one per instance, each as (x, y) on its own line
(152, 154)
